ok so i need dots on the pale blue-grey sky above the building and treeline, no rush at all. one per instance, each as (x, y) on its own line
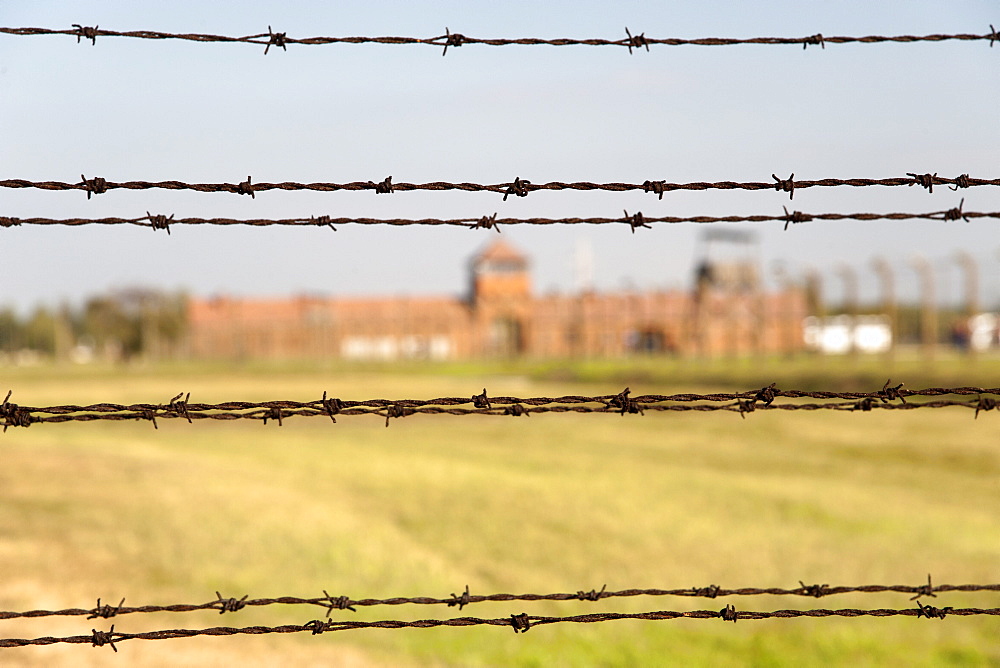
(147, 110)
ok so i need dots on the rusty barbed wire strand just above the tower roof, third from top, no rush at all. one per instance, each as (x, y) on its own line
(634, 221)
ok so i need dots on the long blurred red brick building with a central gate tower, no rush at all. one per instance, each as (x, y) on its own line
(501, 316)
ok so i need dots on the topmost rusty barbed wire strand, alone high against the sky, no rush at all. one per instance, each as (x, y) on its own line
(449, 39)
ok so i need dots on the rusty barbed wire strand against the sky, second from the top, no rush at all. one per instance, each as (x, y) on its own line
(518, 187)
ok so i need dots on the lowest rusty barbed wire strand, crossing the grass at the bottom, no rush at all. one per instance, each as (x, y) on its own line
(520, 623)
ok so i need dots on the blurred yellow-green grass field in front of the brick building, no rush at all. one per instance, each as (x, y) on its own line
(543, 504)
